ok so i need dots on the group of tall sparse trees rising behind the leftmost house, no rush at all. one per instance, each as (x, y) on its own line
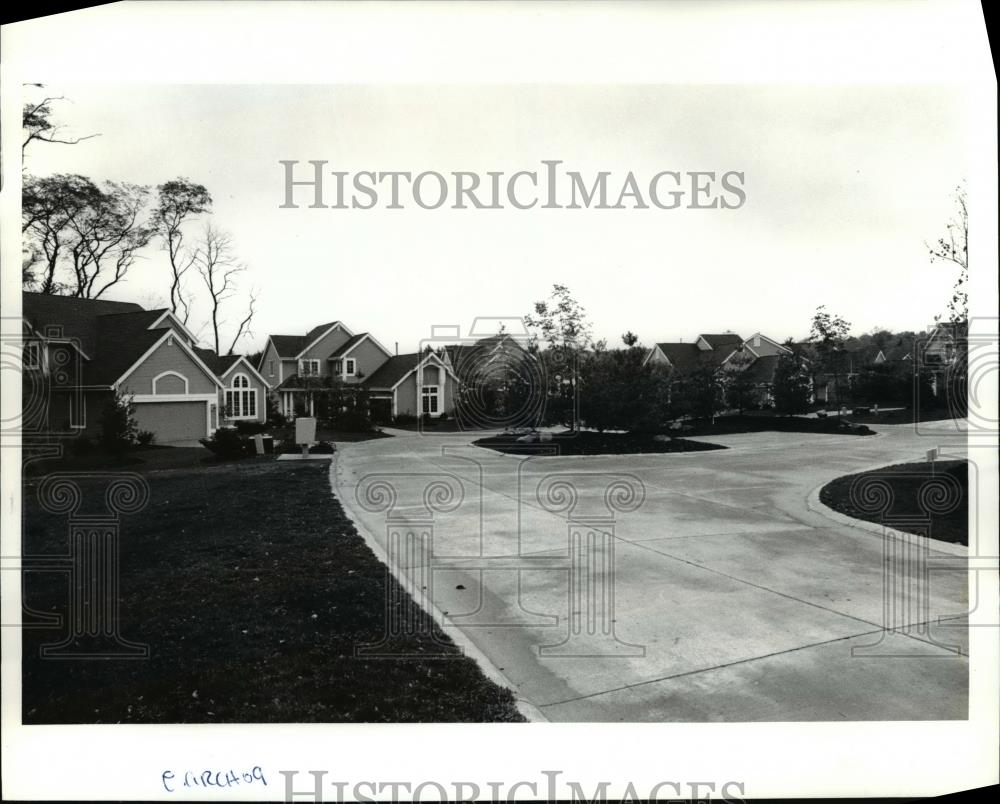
(81, 237)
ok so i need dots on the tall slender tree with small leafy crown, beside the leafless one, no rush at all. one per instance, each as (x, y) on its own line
(179, 200)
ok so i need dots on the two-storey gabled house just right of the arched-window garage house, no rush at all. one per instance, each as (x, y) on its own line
(297, 367)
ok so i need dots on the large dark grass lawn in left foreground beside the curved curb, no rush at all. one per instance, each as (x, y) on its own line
(252, 589)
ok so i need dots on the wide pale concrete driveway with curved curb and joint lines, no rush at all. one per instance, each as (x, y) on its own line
(685, 587)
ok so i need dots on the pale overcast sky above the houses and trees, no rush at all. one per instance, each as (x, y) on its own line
(844, 186)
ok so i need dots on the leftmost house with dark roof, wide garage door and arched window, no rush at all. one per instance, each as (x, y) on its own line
(79, 353)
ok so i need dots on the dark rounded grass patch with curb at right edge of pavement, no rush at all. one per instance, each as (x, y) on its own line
(905, 480)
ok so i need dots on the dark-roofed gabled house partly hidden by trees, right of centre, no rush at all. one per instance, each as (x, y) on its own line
(757, 356)
